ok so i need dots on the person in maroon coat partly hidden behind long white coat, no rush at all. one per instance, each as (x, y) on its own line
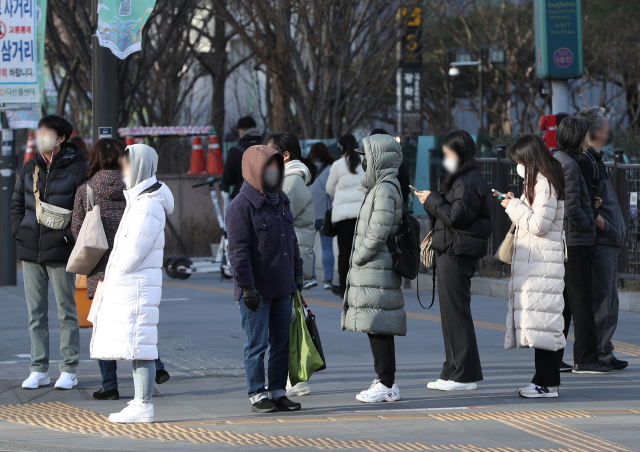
(105, 179)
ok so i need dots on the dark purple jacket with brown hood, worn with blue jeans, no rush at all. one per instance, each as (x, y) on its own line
(263, 248)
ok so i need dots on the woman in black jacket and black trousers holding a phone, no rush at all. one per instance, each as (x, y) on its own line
(461, 213)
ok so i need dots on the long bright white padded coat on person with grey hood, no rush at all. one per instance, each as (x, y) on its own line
(126, 325)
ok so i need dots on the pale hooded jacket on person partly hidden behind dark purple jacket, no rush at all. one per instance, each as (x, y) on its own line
(296, 179)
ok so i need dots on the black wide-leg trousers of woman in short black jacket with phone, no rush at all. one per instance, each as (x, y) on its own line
(454, 295)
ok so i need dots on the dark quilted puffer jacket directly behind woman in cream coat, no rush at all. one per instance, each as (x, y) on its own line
(579, 224)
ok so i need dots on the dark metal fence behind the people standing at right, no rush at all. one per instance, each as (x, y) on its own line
(500, 173)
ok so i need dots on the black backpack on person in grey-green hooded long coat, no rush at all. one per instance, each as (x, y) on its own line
(405, 246)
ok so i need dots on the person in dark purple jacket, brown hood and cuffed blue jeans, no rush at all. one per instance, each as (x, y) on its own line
(267, 269)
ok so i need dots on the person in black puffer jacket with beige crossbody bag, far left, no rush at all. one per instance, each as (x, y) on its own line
(58, 170)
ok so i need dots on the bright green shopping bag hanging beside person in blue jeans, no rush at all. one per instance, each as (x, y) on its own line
(304, 359)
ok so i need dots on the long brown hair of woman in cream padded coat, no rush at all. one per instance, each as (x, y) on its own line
(531, 151)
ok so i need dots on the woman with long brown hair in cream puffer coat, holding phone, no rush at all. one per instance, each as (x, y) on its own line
(537, 271)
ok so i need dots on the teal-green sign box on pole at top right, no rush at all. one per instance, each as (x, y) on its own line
(558, 27)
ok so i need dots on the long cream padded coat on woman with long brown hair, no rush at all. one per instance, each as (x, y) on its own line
(537, 272)
